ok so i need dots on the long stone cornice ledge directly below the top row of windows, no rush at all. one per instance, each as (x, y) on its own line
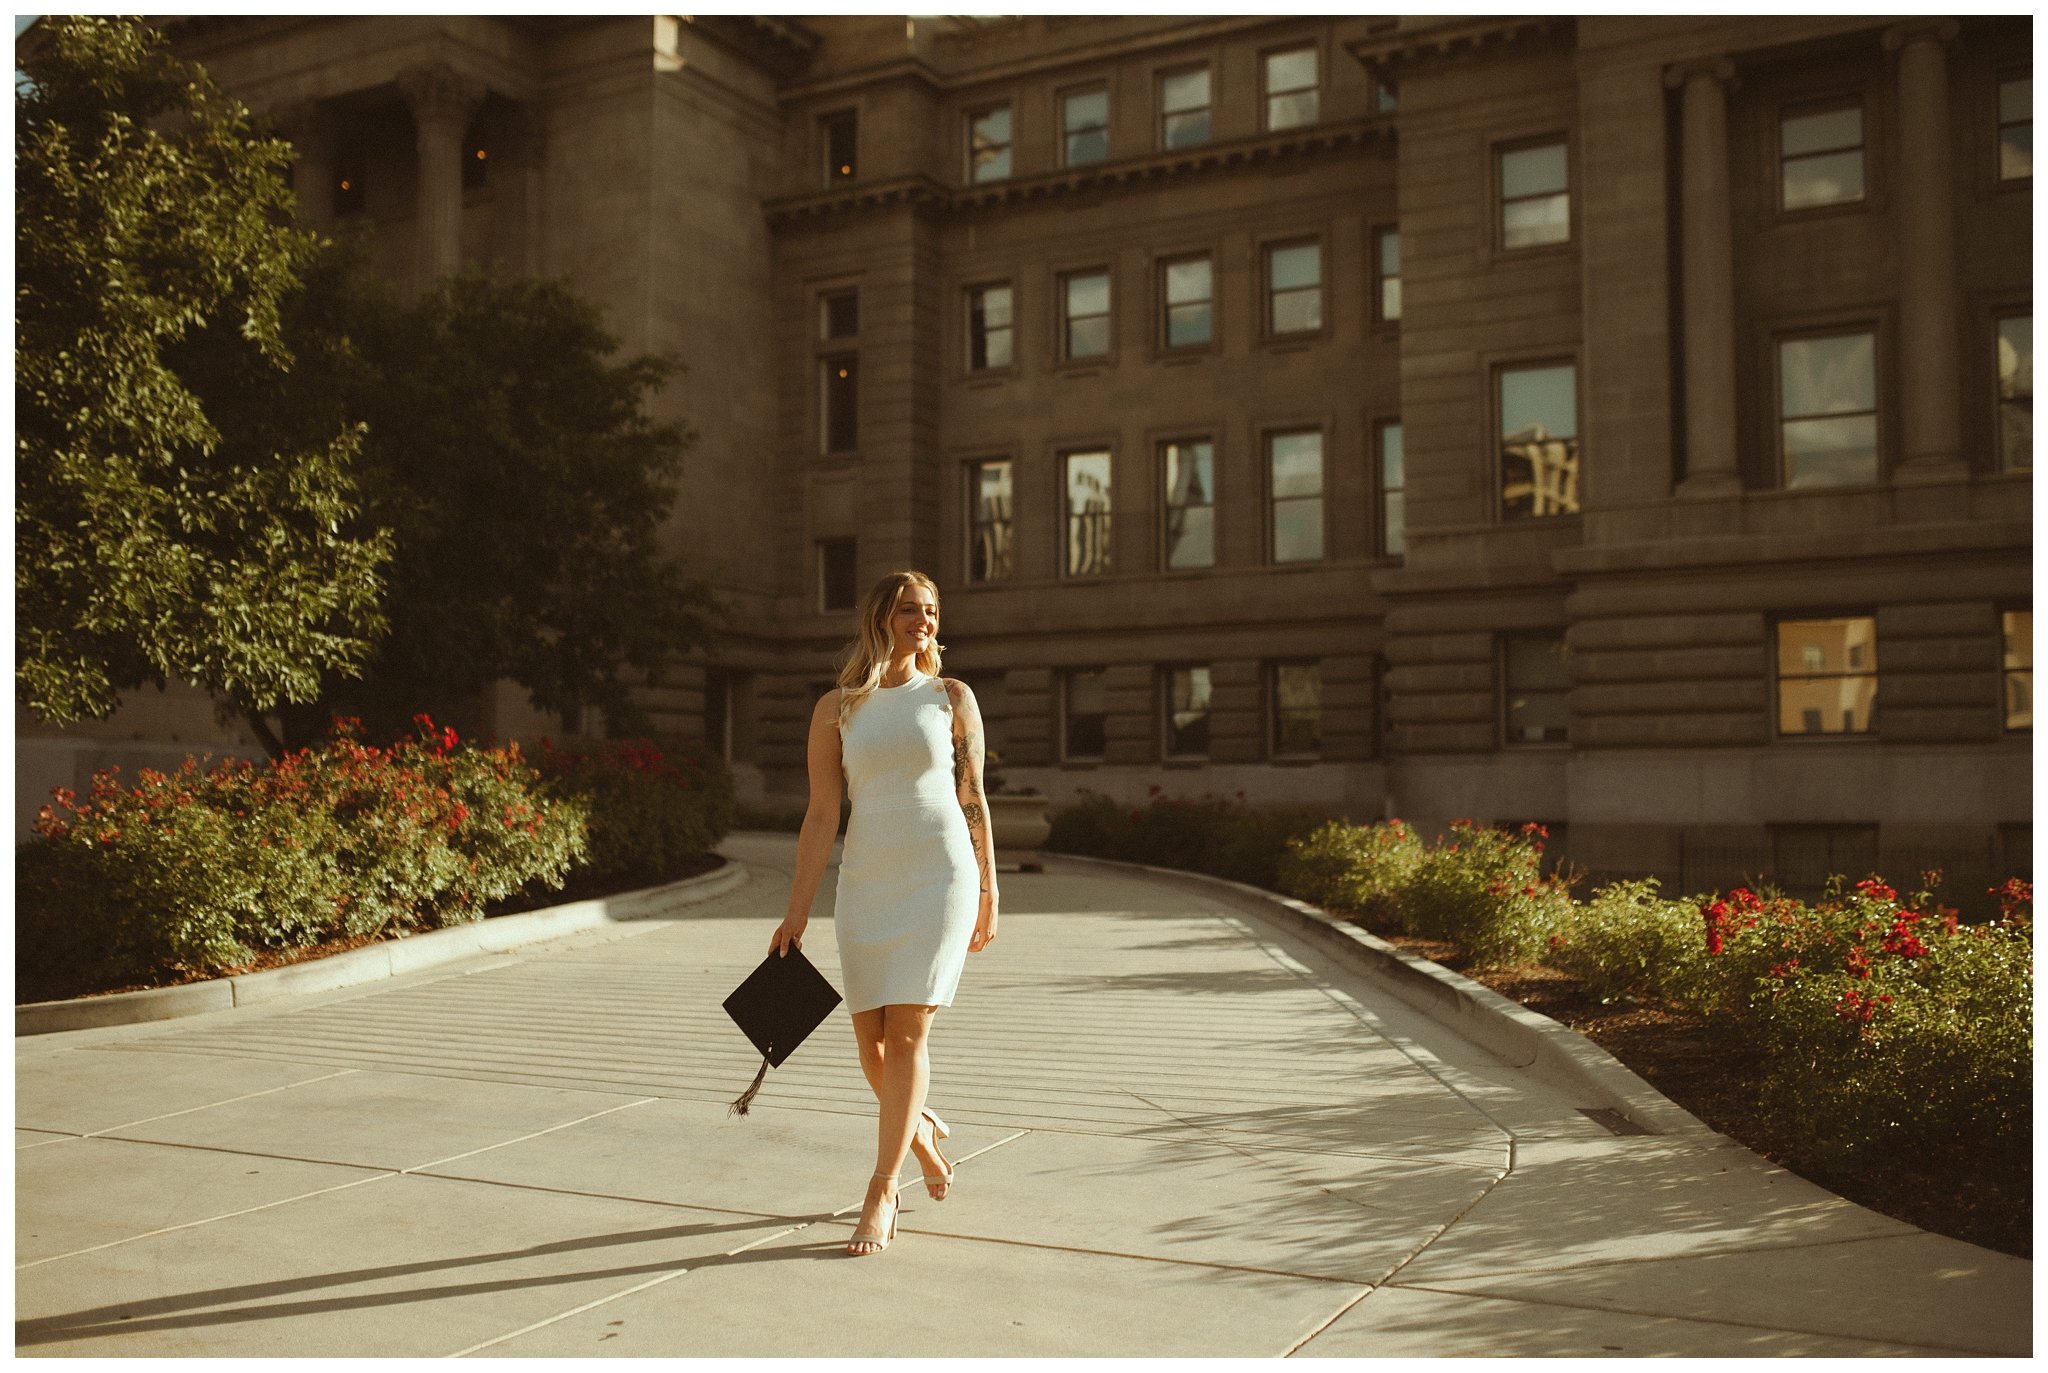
(1209, 159)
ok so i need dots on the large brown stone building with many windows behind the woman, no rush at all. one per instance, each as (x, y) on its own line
(1617, 423)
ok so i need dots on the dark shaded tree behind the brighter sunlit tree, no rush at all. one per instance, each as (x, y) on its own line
(525, 483)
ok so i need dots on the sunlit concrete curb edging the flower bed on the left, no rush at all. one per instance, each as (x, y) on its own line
(374, 962)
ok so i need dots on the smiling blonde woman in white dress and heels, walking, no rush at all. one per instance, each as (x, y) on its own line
(919, 874)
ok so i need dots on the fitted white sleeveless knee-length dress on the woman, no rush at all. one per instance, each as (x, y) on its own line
(908, 888)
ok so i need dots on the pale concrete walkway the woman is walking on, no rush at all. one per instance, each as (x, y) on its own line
(1181, 1132)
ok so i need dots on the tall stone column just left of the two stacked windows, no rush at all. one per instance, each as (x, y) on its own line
(1709, 280)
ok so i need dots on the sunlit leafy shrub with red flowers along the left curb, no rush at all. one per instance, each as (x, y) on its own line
(196, 872)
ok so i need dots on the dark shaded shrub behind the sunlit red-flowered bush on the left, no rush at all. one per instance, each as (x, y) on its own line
(656, 808)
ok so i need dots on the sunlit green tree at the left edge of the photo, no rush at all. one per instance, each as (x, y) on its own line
(151, 233)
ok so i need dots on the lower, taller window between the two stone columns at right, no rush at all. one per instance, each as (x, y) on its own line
(1828, 411)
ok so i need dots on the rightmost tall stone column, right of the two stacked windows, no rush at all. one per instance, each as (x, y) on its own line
(1930, 374)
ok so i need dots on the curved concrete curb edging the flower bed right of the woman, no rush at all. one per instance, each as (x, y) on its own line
(1502, 1028)
